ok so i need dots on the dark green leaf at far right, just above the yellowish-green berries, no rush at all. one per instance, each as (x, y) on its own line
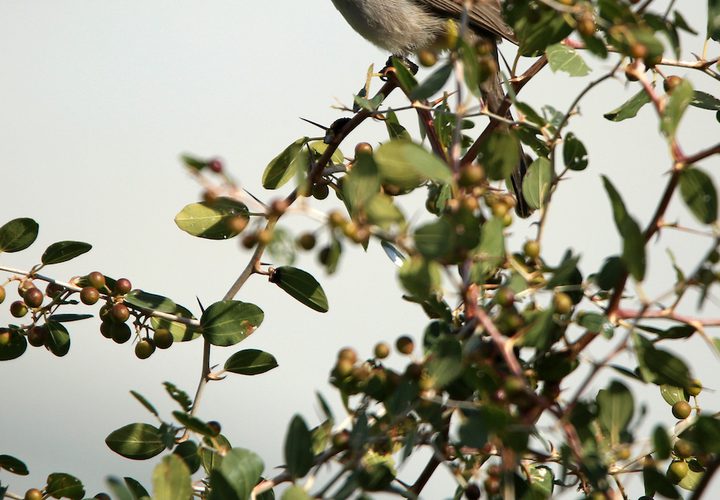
(659, 366)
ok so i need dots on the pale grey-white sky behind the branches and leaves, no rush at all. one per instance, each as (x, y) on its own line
(98, 99)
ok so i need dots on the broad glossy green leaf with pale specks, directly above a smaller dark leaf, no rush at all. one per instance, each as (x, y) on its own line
(228, 322)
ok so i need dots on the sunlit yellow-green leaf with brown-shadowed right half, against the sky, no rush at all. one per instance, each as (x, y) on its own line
(212, 220)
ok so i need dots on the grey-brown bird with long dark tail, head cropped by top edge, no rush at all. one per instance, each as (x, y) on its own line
(404, 27)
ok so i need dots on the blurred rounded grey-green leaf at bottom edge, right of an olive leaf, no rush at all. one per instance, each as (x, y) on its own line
(236, 476)
